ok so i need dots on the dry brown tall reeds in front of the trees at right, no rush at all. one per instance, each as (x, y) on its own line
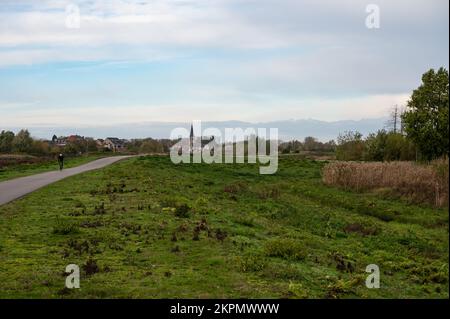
(417, 182)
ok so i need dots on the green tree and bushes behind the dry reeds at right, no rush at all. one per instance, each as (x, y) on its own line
(424, 133)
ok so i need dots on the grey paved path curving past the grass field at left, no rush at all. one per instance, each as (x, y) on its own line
(16, 188)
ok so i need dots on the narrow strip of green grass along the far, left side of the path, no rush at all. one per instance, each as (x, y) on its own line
(21, 170)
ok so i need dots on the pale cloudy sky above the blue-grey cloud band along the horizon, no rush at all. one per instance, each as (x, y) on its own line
(178, 60)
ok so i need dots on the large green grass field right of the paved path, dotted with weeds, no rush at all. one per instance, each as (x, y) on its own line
(146, 228)
